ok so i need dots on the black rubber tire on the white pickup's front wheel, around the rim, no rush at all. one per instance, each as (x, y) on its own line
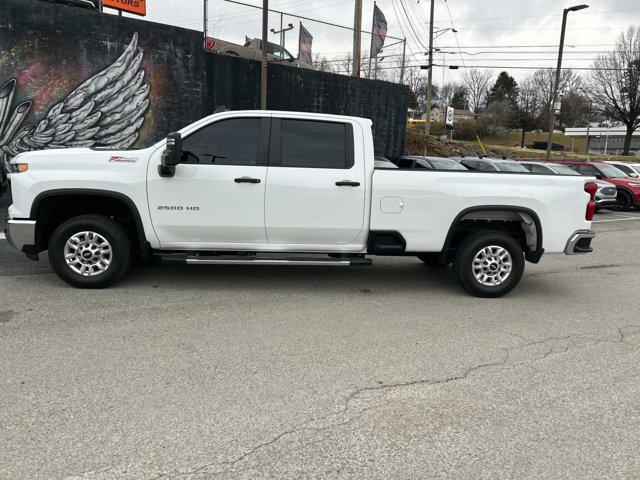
(113, 232)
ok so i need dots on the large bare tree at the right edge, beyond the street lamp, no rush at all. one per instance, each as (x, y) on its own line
(615, 83)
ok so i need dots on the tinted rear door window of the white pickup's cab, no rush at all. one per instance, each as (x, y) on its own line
(311, 144)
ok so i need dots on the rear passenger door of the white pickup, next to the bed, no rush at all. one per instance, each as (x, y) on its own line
(315, 183)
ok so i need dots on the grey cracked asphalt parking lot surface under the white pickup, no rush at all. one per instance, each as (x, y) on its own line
(293, 372)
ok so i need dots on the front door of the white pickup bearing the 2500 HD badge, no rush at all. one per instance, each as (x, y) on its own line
(216, 197)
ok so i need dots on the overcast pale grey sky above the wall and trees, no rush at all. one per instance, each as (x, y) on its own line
(490, 32)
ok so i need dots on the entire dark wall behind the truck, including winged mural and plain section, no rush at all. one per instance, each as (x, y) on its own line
(61, 65)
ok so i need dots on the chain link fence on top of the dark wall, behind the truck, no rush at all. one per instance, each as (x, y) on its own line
(231, 24)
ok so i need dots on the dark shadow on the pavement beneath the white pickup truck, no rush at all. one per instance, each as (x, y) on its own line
(406, 275)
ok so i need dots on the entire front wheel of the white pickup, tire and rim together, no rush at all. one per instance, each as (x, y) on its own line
(90, 251)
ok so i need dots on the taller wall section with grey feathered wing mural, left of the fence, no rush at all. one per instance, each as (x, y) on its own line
(74, 78)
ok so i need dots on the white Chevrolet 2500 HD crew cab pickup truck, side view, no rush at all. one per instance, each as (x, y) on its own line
(267, 188)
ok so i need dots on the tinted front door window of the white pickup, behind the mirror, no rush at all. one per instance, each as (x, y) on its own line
(228, 142)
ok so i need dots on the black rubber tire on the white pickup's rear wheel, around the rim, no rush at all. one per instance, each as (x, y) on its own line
(466, 253)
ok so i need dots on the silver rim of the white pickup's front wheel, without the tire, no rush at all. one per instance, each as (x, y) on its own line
(88, 254)
